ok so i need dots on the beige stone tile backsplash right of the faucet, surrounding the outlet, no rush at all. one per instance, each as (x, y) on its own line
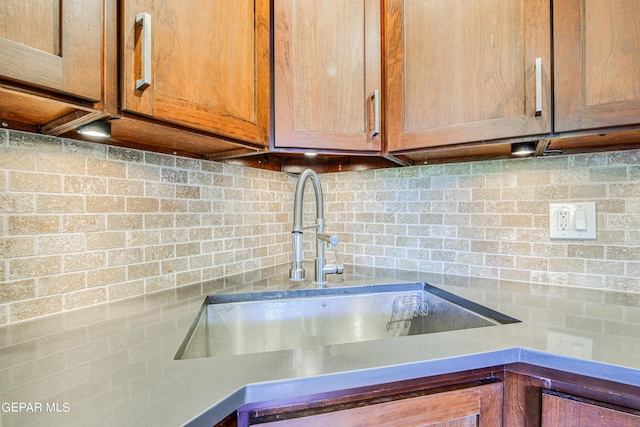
(490, 219)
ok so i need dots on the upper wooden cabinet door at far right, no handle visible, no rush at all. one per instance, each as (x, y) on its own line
(597, 63)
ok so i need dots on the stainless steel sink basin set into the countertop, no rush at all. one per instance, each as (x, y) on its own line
(259, 322)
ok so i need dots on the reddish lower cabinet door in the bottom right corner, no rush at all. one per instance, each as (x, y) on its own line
(562, 410)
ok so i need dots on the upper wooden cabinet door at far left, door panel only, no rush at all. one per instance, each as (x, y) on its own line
(53, 44)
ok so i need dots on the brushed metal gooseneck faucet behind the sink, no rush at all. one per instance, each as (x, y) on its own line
(321, 267)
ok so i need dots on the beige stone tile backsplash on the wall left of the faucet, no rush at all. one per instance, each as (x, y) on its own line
(86, 223)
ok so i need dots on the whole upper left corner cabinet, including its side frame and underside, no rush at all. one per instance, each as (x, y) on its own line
(53, 56)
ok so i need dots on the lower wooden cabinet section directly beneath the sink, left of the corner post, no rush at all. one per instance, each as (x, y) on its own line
(462, 399)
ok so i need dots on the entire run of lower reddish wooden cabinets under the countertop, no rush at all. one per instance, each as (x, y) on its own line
(515, 395)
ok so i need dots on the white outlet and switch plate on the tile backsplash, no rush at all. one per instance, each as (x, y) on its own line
(572, 221)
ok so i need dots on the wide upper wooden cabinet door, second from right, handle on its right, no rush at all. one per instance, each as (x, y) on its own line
(466, 70)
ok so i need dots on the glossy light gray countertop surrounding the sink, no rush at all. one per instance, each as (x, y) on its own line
(113, 364)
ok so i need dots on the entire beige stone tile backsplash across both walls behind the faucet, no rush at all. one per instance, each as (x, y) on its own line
(86, 223)
